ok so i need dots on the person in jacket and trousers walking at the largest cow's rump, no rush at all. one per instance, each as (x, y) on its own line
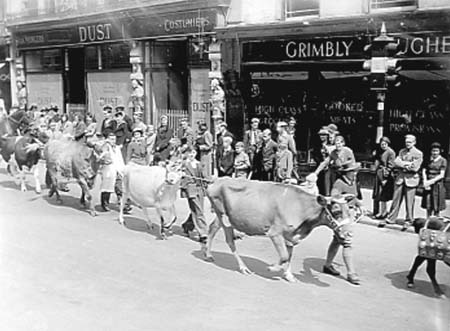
(192, 188)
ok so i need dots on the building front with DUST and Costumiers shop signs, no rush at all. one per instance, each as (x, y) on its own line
(147, 55)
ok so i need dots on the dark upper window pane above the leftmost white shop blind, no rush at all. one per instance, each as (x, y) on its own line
(44, 60)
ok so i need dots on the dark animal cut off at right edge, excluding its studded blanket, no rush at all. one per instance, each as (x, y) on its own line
(435, 223)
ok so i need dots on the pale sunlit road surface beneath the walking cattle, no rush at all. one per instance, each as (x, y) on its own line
(61, 269)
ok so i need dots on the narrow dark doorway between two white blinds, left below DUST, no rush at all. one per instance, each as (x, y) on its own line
(75, 77)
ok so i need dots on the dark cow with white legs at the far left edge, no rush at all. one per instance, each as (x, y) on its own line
(27, 151)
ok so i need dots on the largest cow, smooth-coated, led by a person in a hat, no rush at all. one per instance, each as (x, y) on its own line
(283, 212)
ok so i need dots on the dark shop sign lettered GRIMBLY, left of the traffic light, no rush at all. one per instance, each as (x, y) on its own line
(288, 50)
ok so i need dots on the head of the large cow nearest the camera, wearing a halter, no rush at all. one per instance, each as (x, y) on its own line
(336, 210)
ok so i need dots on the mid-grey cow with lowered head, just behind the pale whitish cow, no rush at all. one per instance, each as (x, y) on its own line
(72, 159)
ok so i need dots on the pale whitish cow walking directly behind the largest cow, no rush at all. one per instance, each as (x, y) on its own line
(152, 187)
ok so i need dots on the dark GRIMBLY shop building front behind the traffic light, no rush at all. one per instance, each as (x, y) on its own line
(304, 59)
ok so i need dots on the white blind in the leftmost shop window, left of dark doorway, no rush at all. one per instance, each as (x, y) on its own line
(45, 89)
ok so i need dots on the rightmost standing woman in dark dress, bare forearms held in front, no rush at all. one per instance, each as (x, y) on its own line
(433, 181)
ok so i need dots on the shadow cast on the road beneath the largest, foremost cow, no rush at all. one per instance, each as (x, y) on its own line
(260, 268)
